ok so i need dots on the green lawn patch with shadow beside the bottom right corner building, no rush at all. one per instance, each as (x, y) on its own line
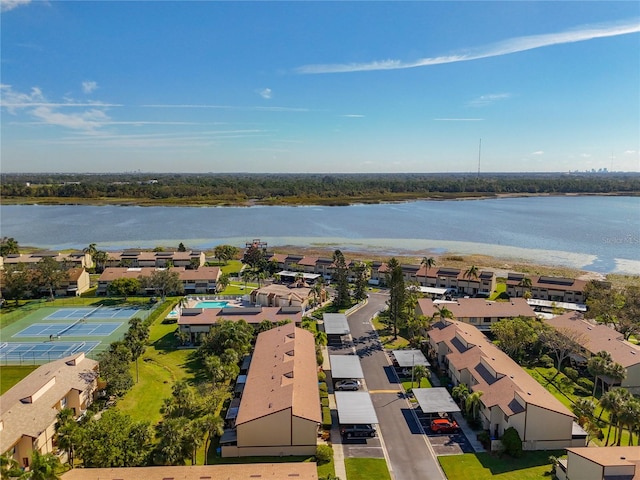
(481, 466)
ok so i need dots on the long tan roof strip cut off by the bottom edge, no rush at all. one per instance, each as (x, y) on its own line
(244, 471)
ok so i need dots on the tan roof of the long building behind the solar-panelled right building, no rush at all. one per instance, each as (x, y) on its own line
(479, 307)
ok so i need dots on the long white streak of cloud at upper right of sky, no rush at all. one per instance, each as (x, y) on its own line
(512, 45)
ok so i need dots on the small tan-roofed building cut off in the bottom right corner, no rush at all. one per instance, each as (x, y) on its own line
(600, 463)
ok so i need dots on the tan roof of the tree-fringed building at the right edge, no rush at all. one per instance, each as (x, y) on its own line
(599, 337)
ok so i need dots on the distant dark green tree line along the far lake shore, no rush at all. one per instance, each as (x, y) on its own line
(305, 188)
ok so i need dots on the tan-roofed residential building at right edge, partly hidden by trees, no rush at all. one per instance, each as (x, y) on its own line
(598, 337)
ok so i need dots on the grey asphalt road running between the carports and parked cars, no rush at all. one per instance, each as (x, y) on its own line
(409, 452)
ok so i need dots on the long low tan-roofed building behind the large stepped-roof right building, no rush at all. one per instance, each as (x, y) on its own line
(477, 311)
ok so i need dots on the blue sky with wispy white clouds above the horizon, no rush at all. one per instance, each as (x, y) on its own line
(320, 86)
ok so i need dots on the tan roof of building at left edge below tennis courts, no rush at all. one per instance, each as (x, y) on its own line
(49, 383)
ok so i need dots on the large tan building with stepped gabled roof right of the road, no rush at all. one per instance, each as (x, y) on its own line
(510, 396)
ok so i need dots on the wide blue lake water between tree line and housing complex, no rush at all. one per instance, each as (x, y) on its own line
(600, 234)
